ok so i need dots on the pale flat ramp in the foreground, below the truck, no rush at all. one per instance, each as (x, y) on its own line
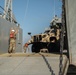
(29, 64)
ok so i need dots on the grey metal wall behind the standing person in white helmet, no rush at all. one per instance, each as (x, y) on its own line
(4, 36)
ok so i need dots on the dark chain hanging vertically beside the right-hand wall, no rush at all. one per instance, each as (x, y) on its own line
(62, 40)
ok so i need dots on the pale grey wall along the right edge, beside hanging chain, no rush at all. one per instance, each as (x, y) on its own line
(71, 28)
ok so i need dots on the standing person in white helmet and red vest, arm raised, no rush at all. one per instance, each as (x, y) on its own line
(12, 40)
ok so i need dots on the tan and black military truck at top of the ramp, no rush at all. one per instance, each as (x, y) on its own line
(49, 41)
